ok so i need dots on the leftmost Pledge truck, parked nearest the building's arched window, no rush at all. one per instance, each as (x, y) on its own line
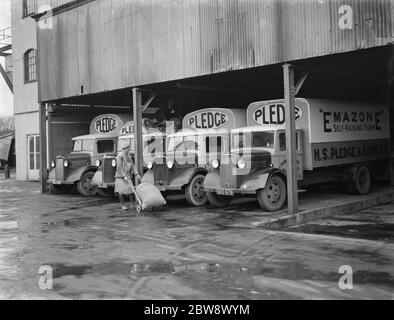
(78, 168)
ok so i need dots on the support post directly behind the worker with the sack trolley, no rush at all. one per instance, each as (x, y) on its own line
(137, 117)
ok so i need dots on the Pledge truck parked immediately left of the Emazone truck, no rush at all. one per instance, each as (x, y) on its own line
(204, 135)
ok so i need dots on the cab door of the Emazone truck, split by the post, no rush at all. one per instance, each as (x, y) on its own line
(282, 155)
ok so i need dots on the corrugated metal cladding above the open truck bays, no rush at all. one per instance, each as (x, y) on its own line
(113, 44)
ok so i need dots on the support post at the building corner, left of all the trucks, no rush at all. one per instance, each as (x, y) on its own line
(43, 147)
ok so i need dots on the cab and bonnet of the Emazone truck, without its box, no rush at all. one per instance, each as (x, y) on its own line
(256, 164)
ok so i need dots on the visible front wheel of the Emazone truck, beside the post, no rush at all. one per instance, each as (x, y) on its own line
(273, 196)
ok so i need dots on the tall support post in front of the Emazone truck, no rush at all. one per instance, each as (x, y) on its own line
(292, 189)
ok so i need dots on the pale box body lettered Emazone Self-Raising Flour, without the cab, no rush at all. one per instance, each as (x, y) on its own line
(334, 132)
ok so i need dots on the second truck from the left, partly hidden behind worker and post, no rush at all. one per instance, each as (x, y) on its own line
(153, 145)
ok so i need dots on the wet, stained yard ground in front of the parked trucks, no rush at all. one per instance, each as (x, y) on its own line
(96, 251)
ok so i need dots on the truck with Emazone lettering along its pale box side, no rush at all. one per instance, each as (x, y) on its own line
(340, 141)
